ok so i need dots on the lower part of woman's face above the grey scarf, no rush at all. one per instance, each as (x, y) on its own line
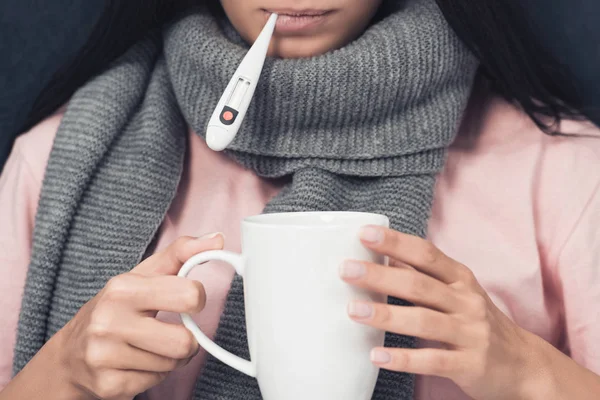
(305, 27)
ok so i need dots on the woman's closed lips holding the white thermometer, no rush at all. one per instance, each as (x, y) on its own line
(298, 21)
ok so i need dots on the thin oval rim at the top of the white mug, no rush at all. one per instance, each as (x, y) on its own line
(266, 220)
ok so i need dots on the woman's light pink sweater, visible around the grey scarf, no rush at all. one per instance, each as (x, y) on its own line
(521, 209)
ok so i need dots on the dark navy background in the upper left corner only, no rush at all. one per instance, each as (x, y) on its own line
(36, 37)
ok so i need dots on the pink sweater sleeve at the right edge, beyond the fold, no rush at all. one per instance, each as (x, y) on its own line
(579, 274)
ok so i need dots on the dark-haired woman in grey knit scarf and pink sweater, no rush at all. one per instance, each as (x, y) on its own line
(518, 208)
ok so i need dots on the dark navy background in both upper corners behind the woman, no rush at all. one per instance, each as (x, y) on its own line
(36, 37)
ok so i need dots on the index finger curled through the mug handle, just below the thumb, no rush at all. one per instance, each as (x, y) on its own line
(156, 293)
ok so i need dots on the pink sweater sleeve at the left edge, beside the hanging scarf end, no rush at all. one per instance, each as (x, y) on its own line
(20, 187)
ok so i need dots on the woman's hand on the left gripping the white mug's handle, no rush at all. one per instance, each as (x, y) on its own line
(114, 348)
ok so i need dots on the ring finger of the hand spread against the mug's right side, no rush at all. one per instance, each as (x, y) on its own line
(419, 322)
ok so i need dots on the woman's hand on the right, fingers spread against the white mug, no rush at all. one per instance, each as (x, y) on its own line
(486, 354)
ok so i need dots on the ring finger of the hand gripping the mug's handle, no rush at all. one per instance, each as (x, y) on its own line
(119, 355)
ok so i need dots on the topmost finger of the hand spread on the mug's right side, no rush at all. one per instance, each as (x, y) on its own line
(414, 251)
